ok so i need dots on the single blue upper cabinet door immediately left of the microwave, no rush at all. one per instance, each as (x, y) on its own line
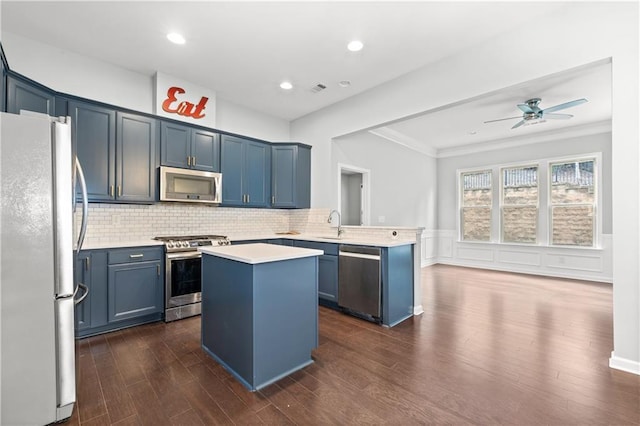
(136, 158)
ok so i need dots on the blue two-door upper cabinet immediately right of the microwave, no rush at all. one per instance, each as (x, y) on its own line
(246, 172)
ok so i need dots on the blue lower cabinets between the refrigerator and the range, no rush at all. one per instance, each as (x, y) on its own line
(126, 288)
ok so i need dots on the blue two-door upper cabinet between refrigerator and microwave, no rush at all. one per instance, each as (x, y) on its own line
(118, 152)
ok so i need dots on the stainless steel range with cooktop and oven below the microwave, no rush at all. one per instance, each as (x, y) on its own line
(183, 268)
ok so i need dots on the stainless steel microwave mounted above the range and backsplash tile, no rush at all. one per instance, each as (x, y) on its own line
(190, 186)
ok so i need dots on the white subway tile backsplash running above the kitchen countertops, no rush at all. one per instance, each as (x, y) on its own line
(126, 222)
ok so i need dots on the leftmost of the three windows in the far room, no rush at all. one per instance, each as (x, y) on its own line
(476, 206)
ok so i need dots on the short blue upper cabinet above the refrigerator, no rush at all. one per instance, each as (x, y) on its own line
(23, 94)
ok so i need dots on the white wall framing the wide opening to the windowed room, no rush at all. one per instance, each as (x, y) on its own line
(582, 33)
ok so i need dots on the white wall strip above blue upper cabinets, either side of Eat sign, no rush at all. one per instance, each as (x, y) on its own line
(67, 72)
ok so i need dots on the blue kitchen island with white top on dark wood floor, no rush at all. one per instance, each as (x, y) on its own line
(260, 310)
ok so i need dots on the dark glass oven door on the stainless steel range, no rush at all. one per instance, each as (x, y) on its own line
(183, 278)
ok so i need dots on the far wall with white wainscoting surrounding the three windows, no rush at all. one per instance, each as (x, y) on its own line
(595, 264)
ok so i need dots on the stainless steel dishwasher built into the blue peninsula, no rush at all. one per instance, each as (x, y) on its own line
(359, 285)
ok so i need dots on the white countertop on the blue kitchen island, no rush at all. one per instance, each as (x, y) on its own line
(259, 252)
